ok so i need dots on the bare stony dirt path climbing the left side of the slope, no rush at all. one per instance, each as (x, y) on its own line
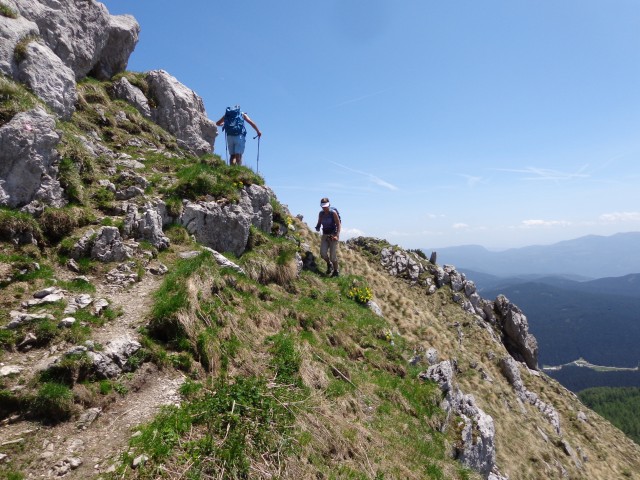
(80, 448)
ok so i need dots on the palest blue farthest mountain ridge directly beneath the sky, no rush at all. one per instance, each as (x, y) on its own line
(587, 257)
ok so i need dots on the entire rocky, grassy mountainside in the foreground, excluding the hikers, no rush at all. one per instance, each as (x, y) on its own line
(115, 302)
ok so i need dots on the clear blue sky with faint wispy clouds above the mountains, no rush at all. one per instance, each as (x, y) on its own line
(427, 123)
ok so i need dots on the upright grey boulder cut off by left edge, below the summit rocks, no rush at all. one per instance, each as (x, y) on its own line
(28, 161)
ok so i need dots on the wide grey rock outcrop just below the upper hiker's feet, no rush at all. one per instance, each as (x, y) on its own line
(226, 228)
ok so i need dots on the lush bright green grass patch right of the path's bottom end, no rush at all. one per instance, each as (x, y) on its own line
(229, 425)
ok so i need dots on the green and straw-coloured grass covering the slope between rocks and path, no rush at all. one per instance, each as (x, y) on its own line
(336, 396)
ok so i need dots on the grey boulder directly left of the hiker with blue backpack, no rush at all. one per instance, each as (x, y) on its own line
(181, 112)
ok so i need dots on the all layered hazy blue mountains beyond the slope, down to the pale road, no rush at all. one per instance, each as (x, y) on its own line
(581, 297)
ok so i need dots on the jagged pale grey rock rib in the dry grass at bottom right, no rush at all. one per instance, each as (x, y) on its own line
(476, 445)
